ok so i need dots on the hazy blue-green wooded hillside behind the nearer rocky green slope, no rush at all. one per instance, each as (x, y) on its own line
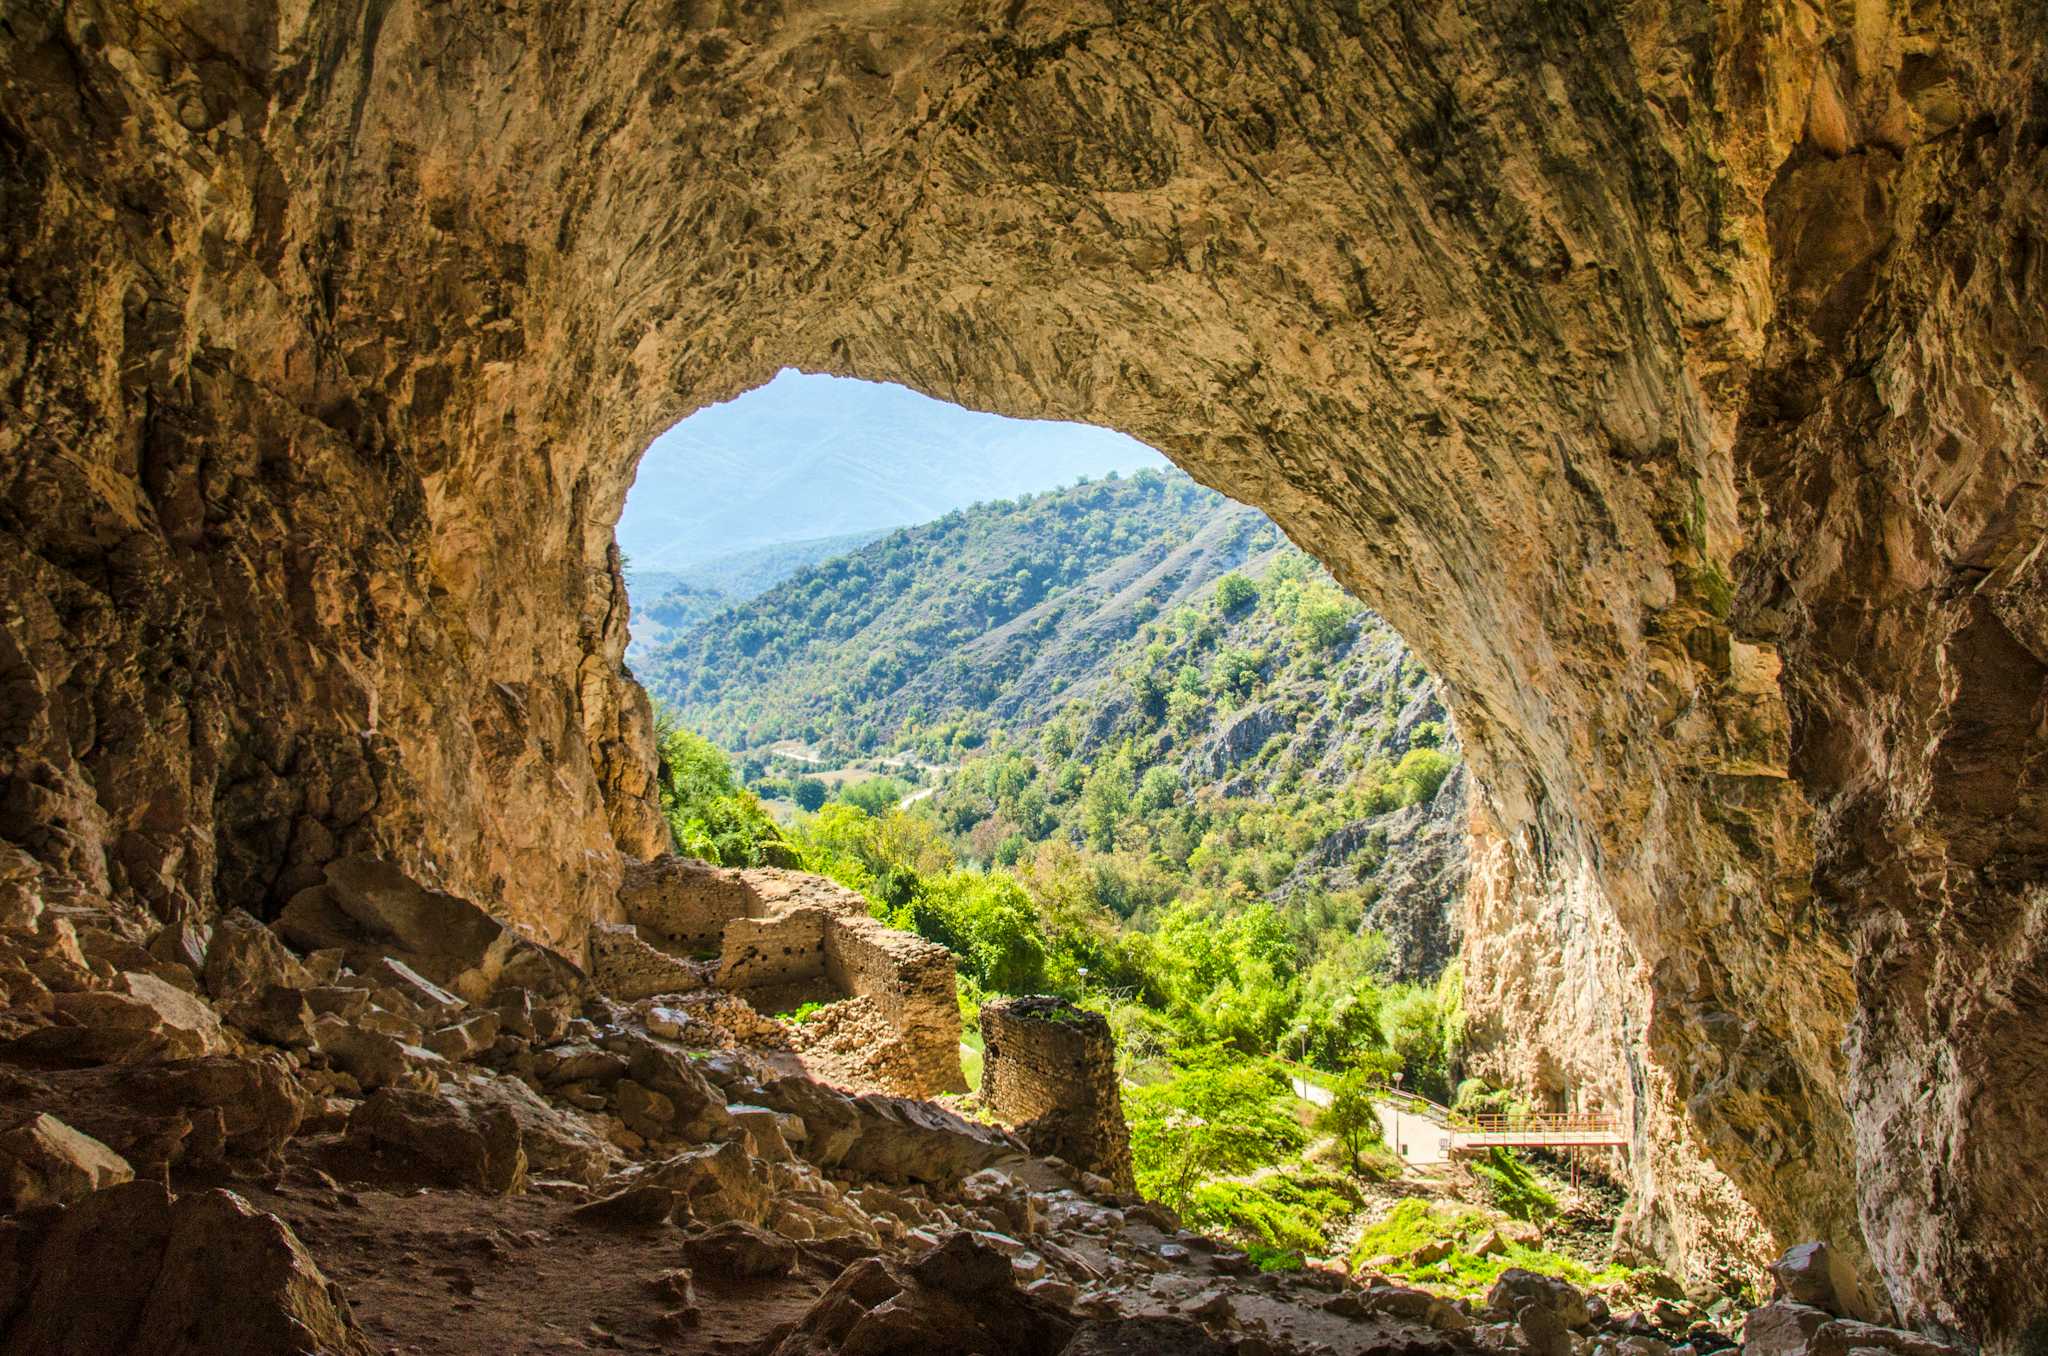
(970, 616)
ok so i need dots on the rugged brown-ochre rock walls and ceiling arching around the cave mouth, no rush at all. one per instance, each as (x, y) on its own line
(1672, 376)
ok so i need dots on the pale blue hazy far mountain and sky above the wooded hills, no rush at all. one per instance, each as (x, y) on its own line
(810, 458)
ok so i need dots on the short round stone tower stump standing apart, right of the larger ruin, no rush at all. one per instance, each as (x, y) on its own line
(1050, 1070)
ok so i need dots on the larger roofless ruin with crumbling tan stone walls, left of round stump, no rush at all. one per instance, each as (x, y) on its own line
(781, 939)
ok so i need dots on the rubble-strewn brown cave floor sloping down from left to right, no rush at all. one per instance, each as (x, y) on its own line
(212, 1142)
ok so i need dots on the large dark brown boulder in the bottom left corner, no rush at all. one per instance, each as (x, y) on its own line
(132, 1271)
